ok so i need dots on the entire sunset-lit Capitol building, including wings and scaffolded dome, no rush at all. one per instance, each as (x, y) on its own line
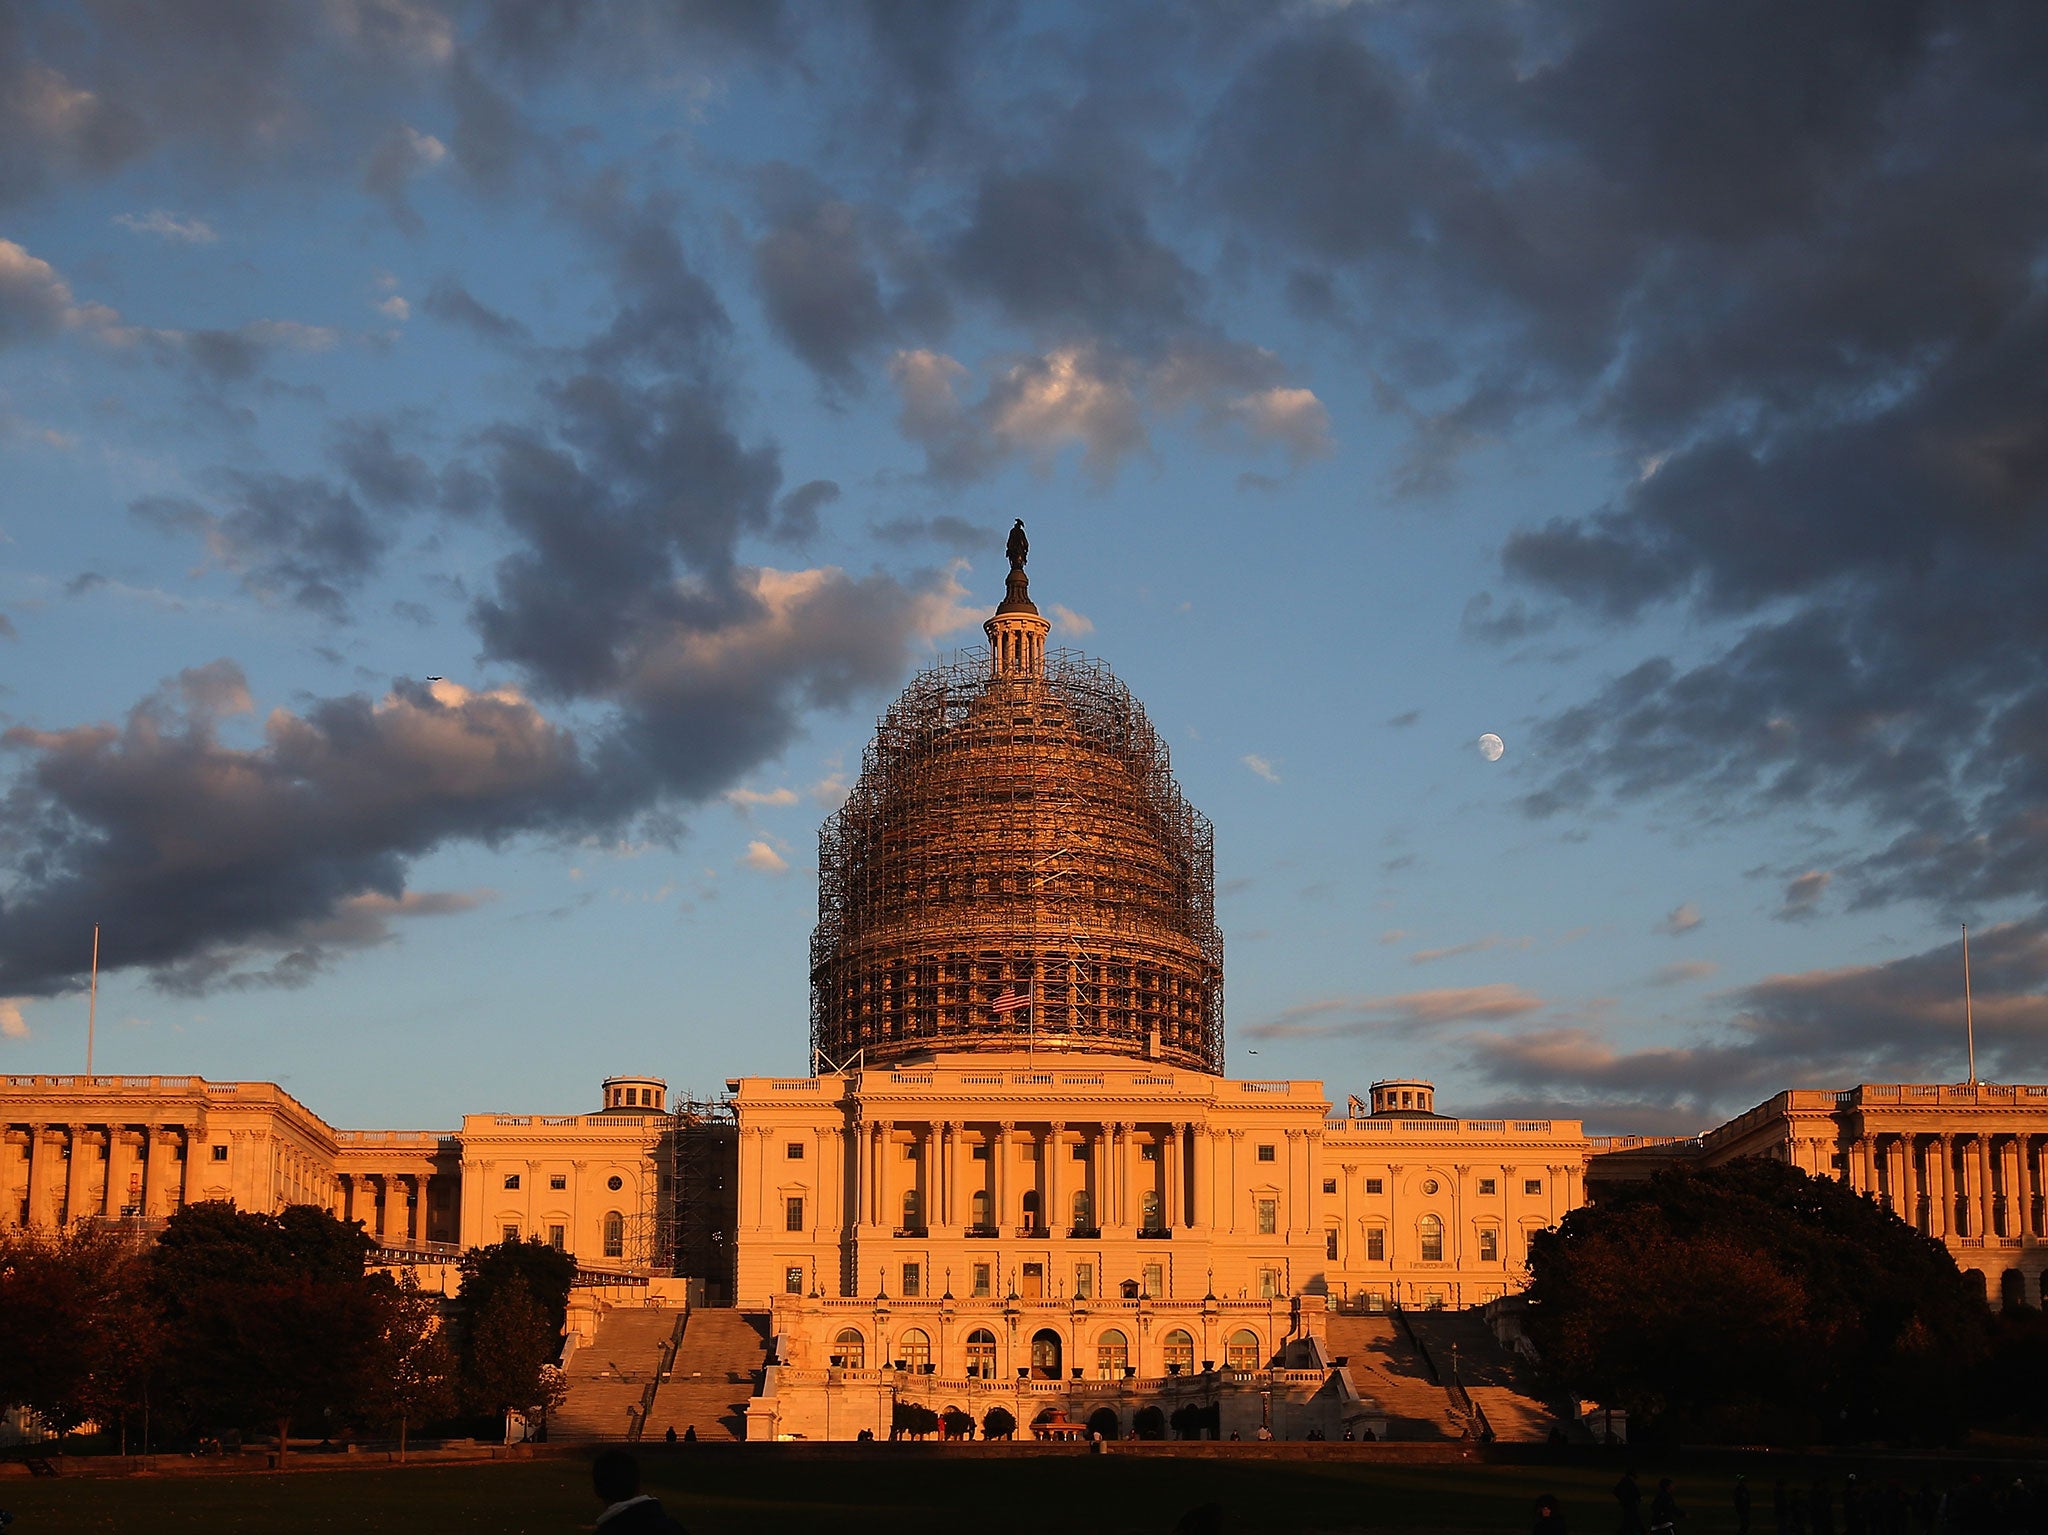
(1015, 1174)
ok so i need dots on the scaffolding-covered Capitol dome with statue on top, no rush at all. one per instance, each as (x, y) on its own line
(1017, 871)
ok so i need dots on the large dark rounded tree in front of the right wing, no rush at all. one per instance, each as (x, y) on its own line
(1756, 1303)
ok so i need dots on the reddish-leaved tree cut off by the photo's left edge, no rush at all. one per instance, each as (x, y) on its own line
(79, 1329)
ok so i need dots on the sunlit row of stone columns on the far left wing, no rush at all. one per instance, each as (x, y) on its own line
(161, 1159)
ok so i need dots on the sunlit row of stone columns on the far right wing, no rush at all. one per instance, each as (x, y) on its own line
(1992, 1190)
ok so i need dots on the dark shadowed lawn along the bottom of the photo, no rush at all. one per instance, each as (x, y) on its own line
(908, 1491)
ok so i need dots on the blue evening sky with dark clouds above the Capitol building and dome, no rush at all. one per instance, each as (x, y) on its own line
(470, 478)
